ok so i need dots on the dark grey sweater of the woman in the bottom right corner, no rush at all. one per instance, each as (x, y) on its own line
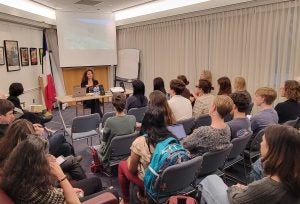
(264, 191)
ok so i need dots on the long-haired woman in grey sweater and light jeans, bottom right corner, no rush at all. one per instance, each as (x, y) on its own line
(280, 156)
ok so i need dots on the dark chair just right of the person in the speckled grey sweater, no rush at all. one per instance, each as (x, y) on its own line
(235, 155)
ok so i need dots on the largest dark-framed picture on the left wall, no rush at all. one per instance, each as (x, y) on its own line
(12, 55)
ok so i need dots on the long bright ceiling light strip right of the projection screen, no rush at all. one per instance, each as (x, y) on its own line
(154, 7)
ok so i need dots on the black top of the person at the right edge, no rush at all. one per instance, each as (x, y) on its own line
(288, 110)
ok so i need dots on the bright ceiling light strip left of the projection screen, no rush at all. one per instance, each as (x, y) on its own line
(30, 7)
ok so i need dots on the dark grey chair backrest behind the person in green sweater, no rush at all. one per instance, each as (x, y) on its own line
(120, 145)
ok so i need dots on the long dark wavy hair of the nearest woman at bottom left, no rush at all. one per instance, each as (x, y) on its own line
(27, 168)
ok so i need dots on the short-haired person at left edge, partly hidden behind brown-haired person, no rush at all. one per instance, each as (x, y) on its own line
(58, 143)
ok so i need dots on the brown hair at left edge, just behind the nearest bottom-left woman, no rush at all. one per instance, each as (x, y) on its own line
(16, 132)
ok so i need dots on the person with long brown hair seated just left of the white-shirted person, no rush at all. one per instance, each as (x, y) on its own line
(158, 100)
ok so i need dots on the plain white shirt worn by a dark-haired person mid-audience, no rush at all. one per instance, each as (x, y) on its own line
(181, 107)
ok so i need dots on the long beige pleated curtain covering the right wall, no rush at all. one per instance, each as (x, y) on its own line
(259, 42)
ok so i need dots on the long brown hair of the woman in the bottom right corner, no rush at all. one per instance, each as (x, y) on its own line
(282, 158)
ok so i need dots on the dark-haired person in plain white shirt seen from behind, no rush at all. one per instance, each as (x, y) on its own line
(180, 106)
